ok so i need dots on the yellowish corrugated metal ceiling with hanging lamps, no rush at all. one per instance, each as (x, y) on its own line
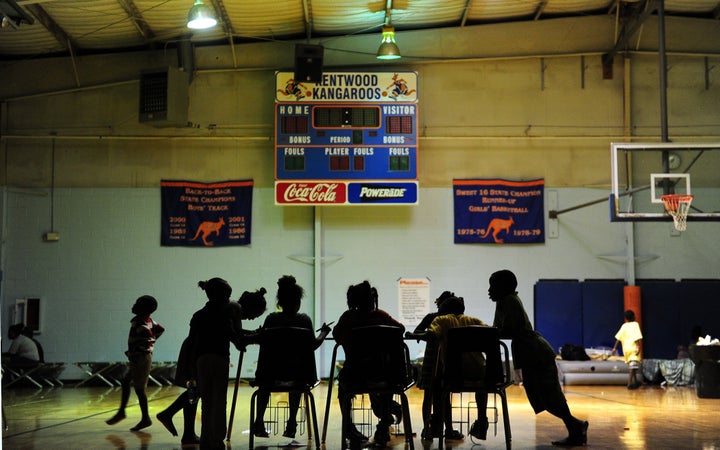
(62, 27)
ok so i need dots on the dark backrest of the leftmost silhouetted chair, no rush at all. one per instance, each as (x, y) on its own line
(287, 354)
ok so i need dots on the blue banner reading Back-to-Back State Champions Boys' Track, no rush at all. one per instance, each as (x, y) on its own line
(206, 214)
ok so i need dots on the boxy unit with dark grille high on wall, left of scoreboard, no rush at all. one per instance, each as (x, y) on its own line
(164, 97)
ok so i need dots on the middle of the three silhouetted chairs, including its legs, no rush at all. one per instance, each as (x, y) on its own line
(377, 361)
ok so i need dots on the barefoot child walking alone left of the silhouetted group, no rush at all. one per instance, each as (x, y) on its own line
(144, 331)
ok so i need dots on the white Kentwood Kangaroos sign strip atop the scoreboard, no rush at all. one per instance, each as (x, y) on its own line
(370, 87)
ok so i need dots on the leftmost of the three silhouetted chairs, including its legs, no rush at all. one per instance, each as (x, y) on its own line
(286, 363)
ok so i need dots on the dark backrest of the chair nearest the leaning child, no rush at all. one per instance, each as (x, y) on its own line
(462, 342)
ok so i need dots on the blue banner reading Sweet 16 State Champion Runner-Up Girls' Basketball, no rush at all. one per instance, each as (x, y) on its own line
(498, 211)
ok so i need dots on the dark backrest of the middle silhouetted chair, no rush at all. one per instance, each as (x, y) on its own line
(376, 356)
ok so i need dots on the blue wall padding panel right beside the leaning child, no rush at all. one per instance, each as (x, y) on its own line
(558, 312)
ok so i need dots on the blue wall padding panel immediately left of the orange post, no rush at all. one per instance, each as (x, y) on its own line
(602, 311)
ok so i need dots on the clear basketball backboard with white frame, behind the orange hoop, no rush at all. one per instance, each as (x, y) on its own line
(642, 173)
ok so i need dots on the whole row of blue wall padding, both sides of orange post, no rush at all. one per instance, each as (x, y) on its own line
(590, 312)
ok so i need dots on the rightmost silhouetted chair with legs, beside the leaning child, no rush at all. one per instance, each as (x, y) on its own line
(498, 375)
